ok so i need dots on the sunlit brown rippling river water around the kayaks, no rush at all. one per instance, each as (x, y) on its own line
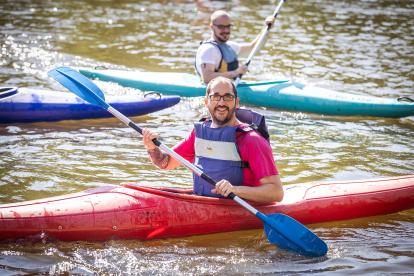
(361, 47)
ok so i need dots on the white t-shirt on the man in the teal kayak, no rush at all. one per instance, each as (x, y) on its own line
(210, 54)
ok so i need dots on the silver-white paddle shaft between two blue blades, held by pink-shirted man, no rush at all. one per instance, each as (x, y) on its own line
(180, 159)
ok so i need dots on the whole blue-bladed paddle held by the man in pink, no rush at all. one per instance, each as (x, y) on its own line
(279, 228)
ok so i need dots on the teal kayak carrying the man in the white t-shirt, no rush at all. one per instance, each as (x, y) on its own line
(284, 94)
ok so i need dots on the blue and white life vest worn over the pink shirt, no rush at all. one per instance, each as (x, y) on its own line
(217, 153)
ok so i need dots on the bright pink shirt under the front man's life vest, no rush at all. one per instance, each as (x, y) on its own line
(253, 148)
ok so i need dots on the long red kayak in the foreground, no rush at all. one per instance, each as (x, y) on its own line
(130, 211)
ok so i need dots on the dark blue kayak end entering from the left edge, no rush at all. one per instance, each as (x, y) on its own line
(28, 105)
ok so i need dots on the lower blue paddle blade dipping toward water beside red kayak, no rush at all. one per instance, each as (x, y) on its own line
(291, 235)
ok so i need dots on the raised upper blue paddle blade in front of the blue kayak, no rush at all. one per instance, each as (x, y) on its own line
(79, 84)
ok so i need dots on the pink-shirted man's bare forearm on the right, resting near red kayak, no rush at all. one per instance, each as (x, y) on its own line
(264, 193)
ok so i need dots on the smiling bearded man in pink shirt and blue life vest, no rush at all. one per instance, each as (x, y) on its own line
(225, 149)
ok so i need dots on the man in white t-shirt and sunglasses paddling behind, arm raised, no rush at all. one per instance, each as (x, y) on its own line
(218, 56)
